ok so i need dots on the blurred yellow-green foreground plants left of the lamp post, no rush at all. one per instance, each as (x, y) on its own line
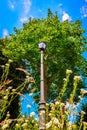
(9, 94)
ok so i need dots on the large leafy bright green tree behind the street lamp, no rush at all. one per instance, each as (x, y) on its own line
(65, 45)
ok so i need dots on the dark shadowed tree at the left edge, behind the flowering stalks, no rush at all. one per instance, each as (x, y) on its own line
(10, 77)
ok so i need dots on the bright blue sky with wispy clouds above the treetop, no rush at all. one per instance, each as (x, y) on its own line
(14, 12)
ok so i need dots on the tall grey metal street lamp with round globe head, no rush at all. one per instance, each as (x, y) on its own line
(42, 103)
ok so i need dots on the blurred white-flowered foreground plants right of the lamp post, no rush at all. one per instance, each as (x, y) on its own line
(62, 115)
